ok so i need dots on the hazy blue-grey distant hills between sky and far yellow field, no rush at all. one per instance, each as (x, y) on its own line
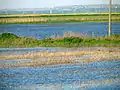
(63, 9)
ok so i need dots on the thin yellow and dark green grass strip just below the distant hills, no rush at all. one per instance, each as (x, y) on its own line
(58, 15)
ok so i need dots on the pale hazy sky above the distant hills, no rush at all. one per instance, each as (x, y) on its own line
(48, 3)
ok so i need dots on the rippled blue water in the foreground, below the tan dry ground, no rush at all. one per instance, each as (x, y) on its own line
(104, 75)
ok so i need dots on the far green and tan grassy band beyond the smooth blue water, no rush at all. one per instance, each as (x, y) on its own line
(57, 18)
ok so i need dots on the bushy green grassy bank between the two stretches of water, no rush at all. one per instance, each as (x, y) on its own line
(8, 40)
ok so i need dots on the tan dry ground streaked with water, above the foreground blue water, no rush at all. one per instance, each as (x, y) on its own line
(63, 57)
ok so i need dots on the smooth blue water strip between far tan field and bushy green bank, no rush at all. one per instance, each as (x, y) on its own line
(41, 31)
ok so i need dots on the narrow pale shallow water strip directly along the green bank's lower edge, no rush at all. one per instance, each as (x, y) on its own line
(18, 51)
